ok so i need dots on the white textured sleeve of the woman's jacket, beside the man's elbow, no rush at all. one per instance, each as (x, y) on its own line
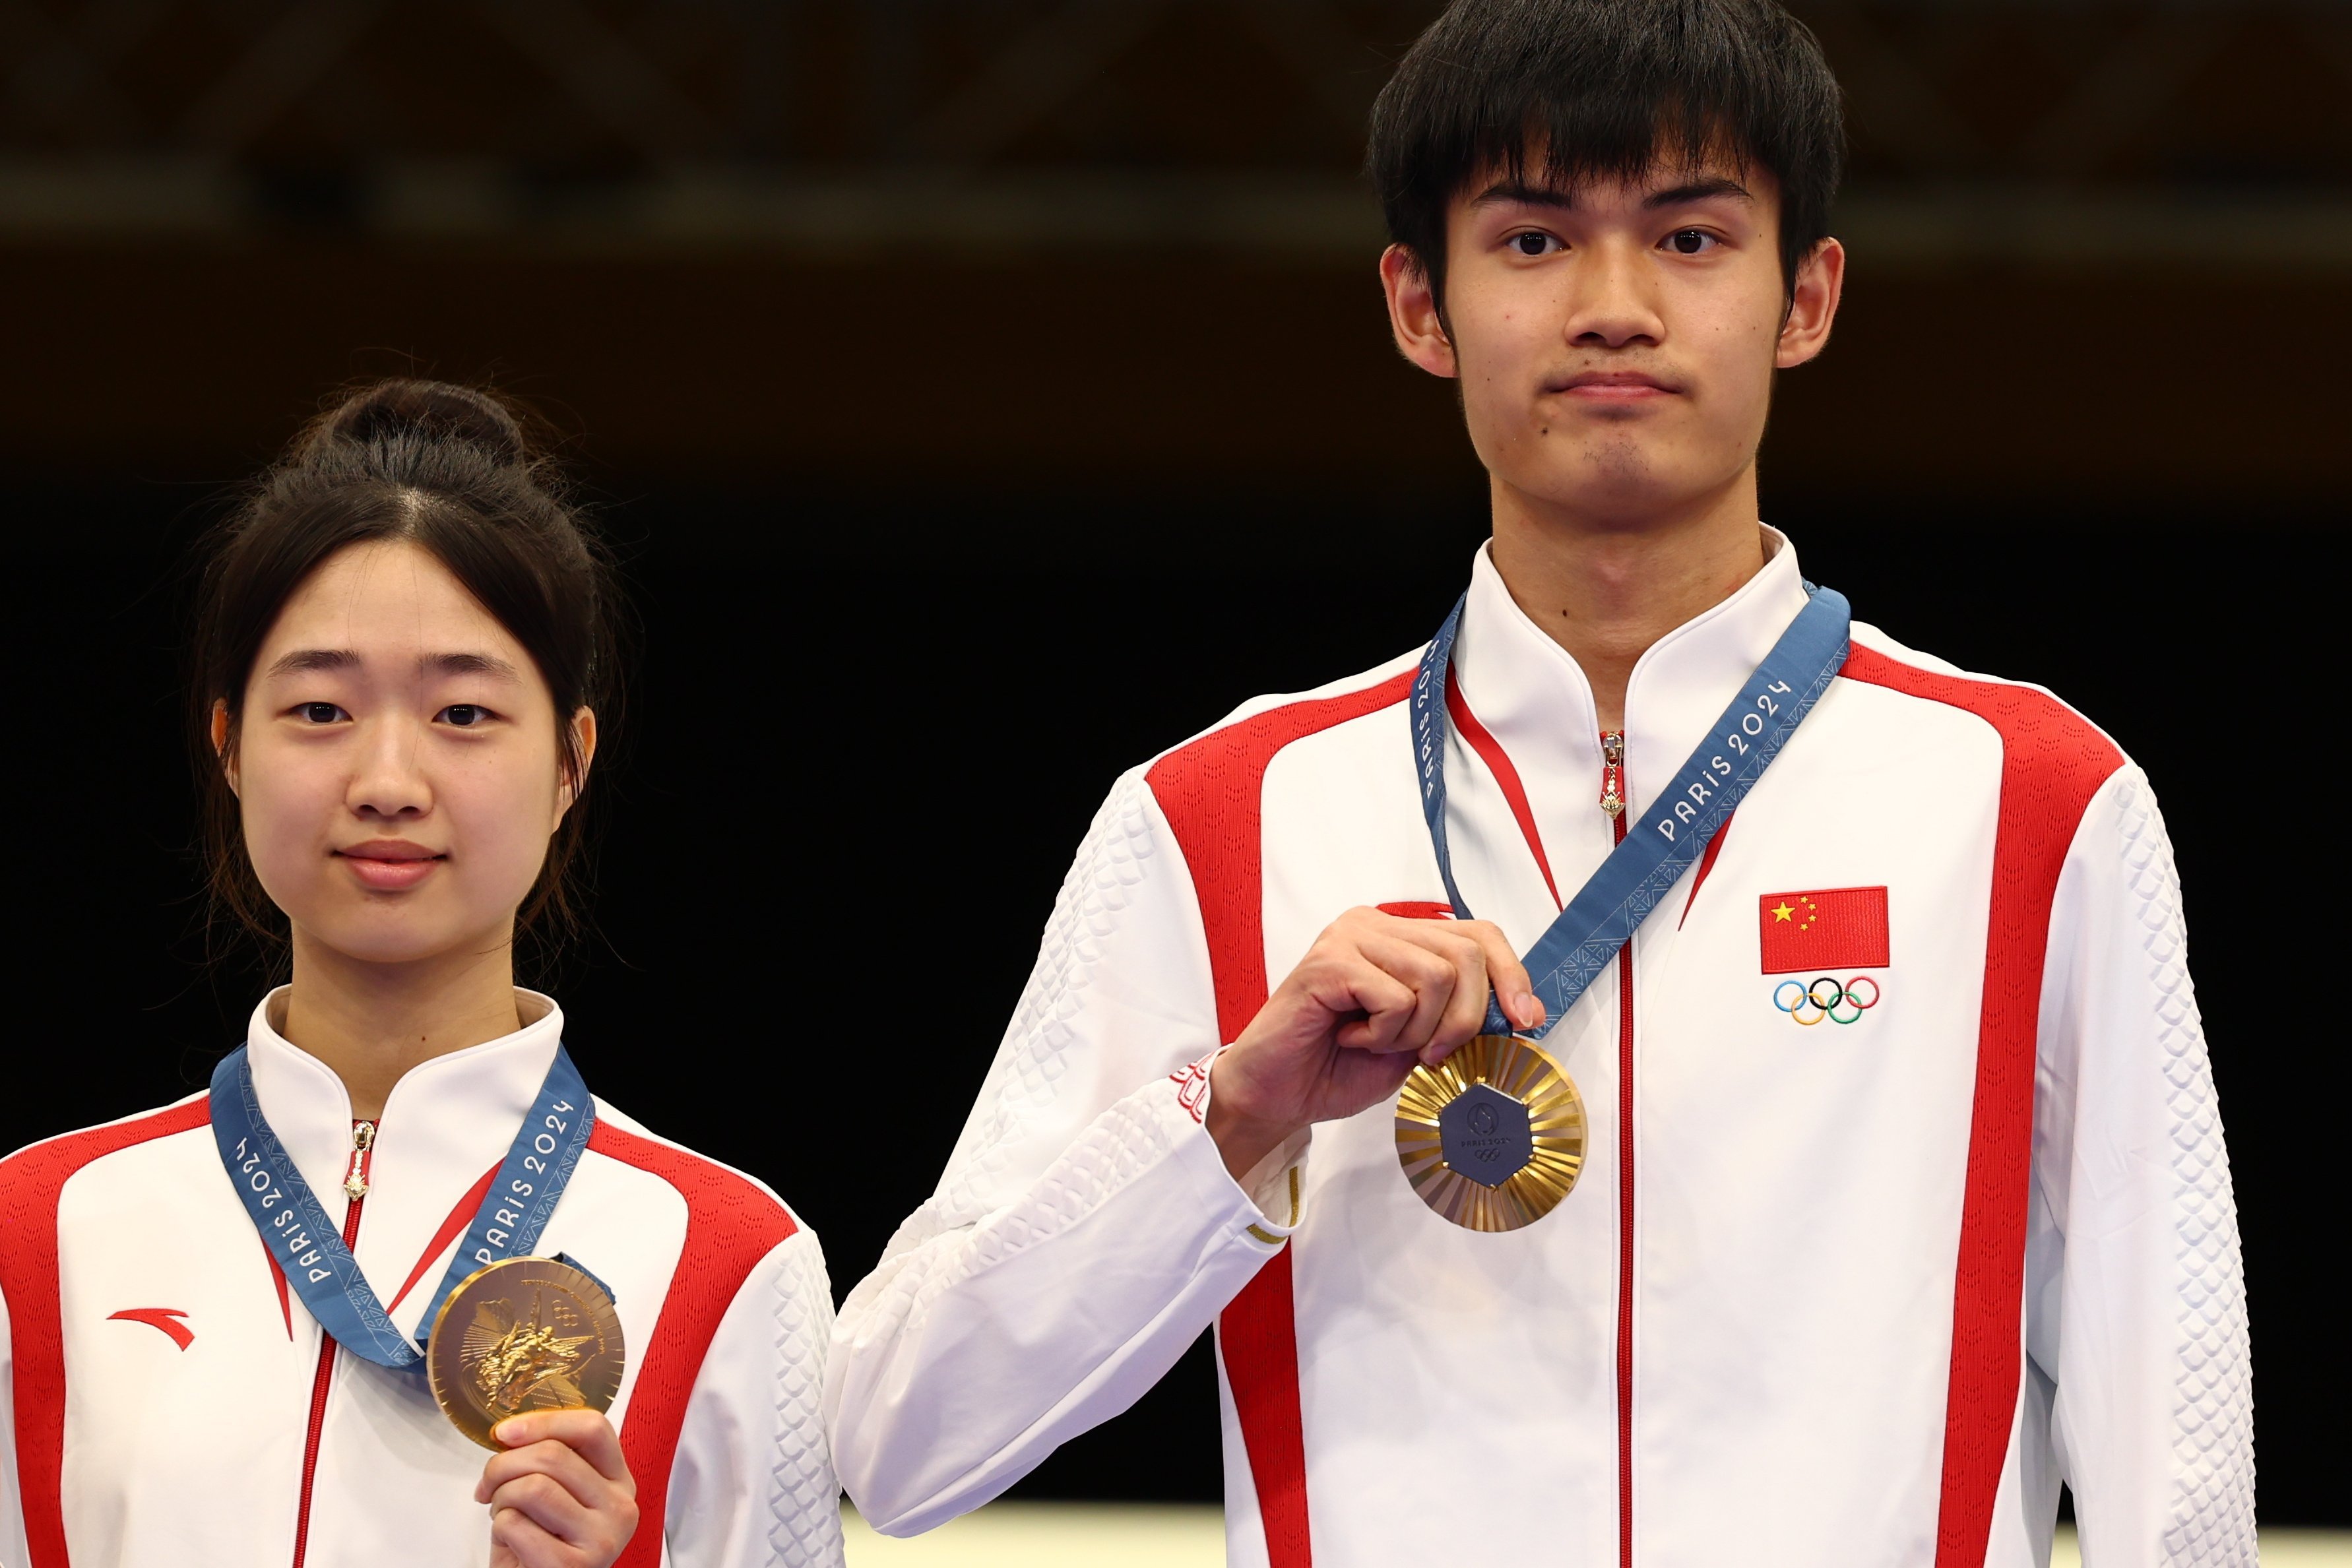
(754, 1482)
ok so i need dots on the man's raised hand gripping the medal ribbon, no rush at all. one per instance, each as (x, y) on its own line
(1372, 998)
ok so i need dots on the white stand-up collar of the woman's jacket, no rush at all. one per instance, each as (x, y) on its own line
(443, 1125)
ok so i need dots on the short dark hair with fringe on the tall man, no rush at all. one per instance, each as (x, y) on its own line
(1605, 91)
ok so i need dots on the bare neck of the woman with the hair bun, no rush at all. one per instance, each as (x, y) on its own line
(375, 1021)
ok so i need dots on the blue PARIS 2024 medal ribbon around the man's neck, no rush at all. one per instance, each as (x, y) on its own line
(1681, 822)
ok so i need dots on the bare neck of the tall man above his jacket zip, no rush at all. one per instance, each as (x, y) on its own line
(1608, 589)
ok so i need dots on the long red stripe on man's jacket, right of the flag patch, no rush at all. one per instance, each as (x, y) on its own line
(2052, 765)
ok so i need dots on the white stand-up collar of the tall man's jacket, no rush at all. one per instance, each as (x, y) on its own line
(1537, 702)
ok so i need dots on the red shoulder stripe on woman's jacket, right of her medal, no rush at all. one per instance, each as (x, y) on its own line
(733, 1224)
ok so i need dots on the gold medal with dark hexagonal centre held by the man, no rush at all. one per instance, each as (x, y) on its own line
(1492, 1137)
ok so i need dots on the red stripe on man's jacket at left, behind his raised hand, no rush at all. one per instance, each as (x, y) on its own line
(1212, 791)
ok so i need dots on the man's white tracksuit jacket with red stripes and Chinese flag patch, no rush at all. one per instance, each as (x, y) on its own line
(1843, 1294)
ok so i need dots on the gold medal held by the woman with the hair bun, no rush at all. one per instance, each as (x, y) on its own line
(526, 1334)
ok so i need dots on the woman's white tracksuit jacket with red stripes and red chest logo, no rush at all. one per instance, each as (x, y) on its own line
(171, 1402)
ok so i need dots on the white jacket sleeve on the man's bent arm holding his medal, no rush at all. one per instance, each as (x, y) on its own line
(1085, 1231)
